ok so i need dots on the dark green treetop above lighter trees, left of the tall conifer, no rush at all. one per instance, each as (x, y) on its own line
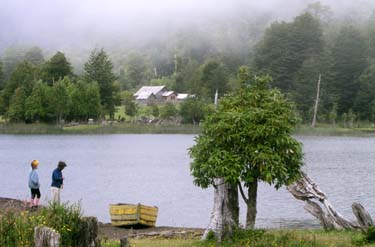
(56, 68)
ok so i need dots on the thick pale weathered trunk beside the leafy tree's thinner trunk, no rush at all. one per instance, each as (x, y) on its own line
(225, 213)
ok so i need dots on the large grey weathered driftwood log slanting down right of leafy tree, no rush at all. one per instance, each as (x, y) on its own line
(307, 190)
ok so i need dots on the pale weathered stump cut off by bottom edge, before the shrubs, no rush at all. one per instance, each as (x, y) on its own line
(46, 237)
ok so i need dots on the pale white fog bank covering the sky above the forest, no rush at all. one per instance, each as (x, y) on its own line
(68, 24)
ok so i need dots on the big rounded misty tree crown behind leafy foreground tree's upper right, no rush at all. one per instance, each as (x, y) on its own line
(285, 47)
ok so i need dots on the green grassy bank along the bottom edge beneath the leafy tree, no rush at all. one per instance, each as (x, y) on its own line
(262, 238)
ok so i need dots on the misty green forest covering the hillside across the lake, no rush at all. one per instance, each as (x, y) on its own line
(50, 85)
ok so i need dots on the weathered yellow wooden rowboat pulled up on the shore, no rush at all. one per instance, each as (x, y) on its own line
(133, 214)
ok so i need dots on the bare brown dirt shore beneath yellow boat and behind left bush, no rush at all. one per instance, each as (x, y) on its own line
(106, 230)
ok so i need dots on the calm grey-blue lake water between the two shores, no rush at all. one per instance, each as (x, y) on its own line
(154, 170)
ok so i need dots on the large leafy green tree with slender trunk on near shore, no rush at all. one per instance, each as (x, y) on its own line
(248, 139)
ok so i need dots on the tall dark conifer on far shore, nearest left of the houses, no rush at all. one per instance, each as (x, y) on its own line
(99, 68)
